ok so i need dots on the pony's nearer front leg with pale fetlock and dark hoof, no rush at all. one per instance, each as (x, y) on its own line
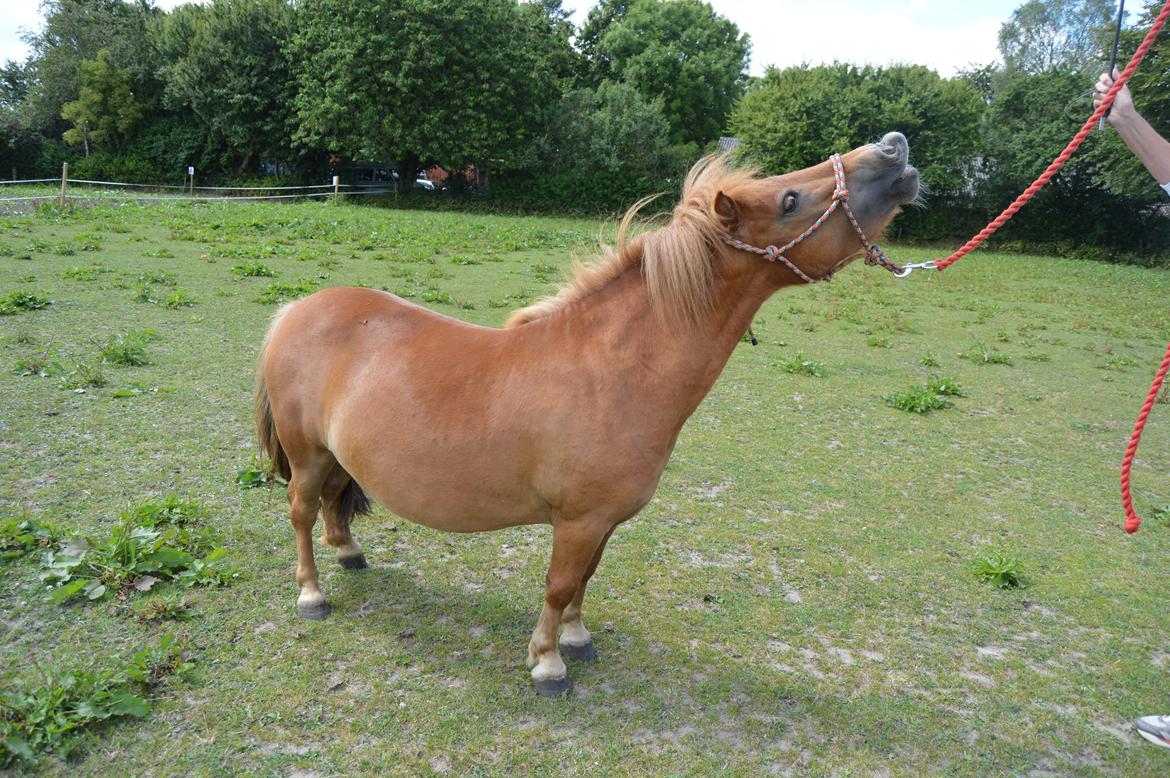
(575, 543)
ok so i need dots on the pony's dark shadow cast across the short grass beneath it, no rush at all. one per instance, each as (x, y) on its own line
(466, 650)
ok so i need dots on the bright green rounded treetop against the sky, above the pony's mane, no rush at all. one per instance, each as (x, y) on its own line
(680, 51)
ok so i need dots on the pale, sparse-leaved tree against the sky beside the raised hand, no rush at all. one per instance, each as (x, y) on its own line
(1048, 35)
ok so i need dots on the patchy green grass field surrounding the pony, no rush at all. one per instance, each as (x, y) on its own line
(799, 598)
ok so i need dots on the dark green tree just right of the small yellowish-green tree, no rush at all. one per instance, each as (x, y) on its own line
(231, 71)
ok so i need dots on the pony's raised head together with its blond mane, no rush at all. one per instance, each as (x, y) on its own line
(683, 260)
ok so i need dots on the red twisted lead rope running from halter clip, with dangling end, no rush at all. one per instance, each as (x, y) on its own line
(1133, 521)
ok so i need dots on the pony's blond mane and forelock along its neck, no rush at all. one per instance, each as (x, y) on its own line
(676, 259)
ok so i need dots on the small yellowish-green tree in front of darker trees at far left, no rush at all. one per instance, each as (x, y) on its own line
(106, 111)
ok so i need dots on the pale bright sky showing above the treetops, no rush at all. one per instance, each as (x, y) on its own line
(944, 35)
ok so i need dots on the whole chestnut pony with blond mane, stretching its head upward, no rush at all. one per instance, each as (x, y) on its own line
(569, 414)
